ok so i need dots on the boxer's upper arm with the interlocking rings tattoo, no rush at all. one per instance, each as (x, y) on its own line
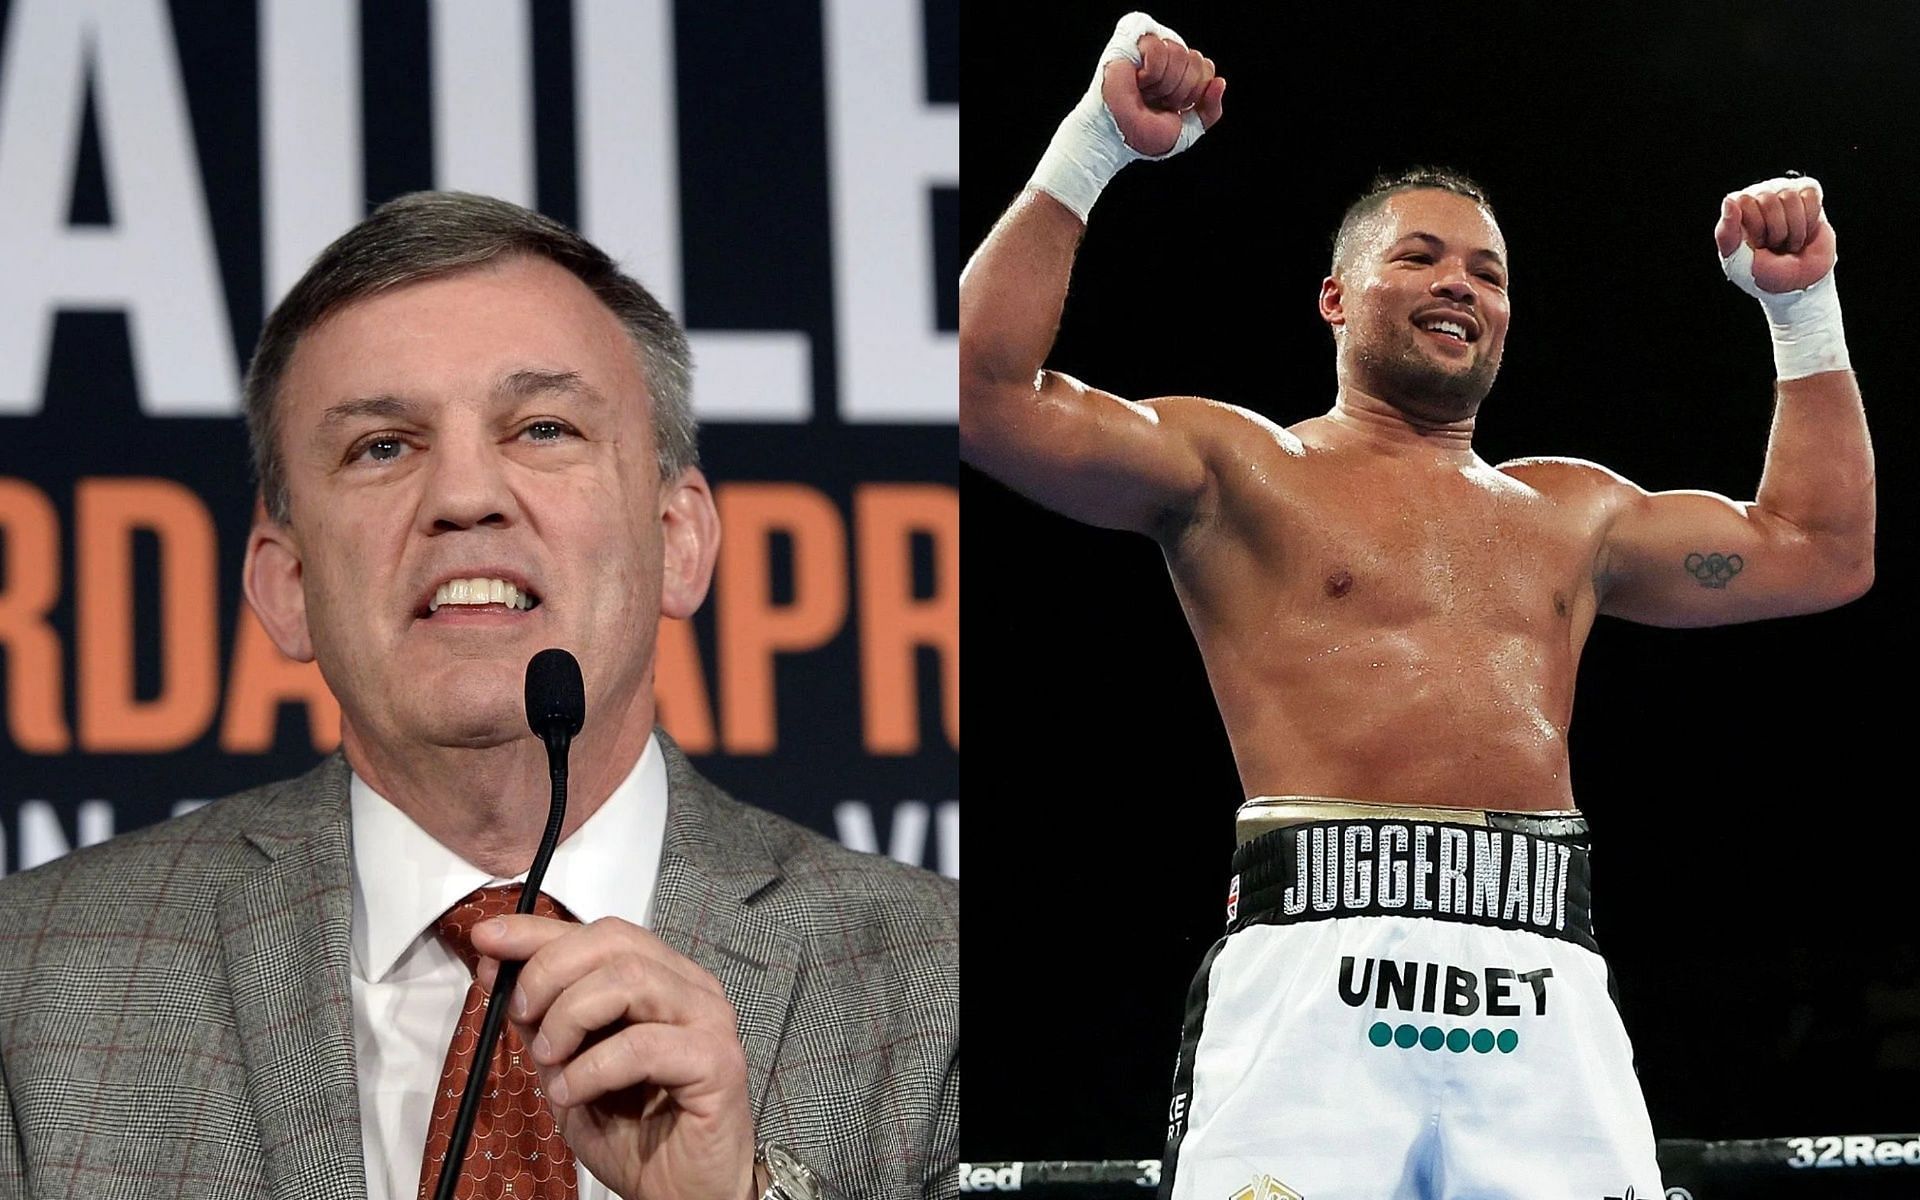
(1704, 560)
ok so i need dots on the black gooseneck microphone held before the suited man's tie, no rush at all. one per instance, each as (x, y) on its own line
(556, 709)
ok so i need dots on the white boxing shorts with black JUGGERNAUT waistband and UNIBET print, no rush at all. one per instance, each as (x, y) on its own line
(1408, 1005)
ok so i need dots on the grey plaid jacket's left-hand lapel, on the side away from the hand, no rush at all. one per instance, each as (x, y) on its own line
(287, 938)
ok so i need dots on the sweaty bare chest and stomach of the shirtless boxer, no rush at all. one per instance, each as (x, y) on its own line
(1401, 629)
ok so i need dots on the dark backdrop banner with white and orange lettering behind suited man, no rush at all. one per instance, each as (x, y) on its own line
(784, 178)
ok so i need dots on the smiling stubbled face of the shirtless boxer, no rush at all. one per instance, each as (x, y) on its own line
(1420, 306)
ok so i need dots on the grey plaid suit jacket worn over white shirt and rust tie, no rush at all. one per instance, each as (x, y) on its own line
(176, 1013)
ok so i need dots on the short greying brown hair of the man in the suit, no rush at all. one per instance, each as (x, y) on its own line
(427, 235)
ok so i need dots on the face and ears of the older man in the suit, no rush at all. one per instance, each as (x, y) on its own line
(487, 425)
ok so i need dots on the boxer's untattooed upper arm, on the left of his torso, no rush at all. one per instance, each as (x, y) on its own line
(1093, 456)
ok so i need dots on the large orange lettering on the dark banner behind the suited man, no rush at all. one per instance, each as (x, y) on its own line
(754, 627)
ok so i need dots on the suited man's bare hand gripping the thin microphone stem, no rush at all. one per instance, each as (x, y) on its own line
(638, 1053)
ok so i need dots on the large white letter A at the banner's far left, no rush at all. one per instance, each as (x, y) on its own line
(156, 260)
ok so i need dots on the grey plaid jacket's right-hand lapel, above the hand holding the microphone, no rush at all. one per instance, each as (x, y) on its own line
(713, 863)
